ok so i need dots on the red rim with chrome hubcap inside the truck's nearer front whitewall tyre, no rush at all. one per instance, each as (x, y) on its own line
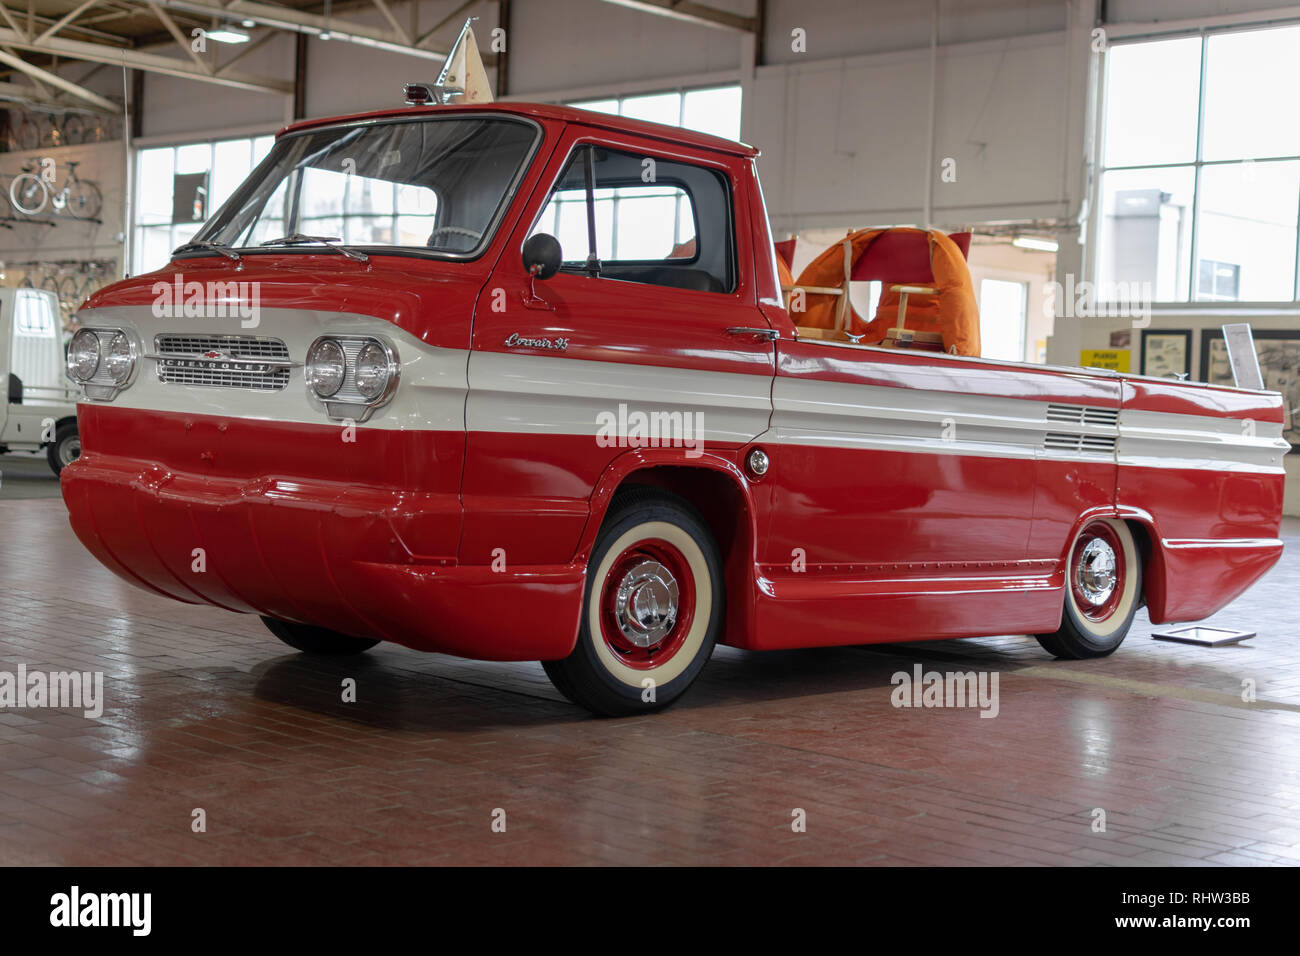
(632, 592)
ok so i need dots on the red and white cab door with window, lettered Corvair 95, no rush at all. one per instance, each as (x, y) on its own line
(644, 331)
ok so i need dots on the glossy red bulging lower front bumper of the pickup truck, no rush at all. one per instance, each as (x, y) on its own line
(317, 552)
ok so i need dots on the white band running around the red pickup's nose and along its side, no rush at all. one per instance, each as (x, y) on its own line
(558, 395)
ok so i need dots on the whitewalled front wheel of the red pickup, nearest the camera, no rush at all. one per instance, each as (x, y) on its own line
(653, 608)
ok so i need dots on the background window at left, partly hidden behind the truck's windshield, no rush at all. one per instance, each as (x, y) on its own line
(177, 188)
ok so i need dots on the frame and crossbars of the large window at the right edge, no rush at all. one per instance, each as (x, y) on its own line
(1198, 165)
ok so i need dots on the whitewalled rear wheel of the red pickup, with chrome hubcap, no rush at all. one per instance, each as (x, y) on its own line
(1102, 595)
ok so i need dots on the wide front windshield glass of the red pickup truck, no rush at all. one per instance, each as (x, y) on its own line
(437, 185)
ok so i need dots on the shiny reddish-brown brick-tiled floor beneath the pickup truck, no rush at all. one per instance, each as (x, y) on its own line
(206, 711)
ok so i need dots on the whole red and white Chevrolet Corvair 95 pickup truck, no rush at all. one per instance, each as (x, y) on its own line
(518, 383)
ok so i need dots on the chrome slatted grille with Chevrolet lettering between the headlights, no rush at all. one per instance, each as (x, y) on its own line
(232, 362)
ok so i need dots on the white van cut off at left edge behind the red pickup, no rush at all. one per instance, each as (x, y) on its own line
(40, 409)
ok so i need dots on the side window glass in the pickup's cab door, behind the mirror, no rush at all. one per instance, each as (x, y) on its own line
(656, 222)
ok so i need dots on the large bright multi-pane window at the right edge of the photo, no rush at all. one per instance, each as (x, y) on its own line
(1199, 196)
